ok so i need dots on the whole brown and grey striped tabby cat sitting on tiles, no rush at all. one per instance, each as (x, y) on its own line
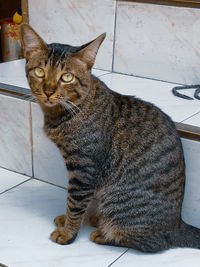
(121, 150)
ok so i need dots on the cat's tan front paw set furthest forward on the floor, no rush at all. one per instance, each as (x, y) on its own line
(62, 237)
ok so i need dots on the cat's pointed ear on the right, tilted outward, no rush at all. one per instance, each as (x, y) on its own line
(89, 51)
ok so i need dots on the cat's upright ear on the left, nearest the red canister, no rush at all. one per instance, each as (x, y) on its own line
(31, 41)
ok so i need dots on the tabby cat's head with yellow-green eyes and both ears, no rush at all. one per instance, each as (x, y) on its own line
(58, 73)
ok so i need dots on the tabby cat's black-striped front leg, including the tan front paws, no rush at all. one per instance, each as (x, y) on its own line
(80, 193)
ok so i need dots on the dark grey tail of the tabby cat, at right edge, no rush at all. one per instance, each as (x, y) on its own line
(185, 236)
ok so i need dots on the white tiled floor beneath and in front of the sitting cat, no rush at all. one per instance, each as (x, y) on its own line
(27, 213)
